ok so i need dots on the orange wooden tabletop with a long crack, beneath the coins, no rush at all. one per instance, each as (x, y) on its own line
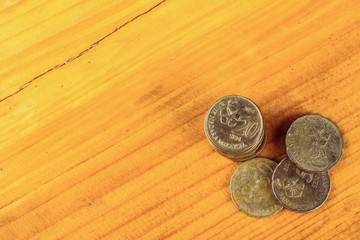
(103, 102)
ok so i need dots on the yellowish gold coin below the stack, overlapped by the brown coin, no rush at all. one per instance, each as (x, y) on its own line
(250, 188)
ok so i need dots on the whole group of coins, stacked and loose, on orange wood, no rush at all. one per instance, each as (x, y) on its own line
(260, 187)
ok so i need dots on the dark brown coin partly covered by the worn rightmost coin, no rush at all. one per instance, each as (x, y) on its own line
(297, 190)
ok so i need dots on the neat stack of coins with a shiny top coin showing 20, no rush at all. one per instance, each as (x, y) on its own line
(235, 128)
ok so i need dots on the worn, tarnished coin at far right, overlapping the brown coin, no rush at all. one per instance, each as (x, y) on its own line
(314, 143)
